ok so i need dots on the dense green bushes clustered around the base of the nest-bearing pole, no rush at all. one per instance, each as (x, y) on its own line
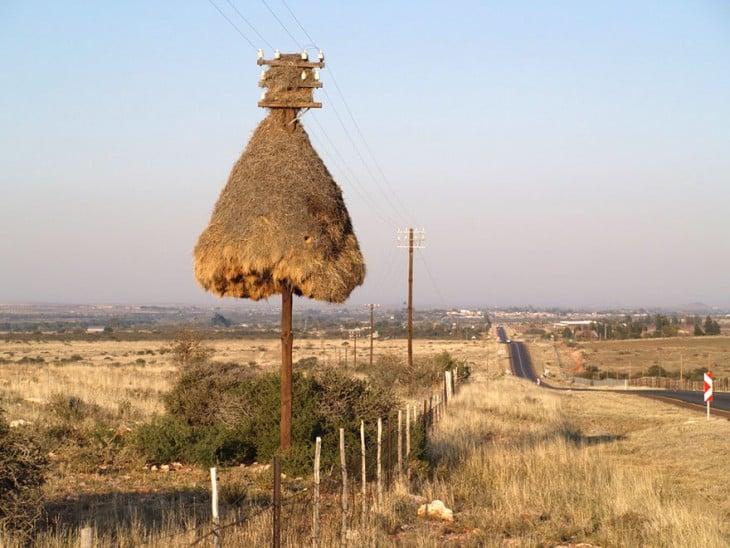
(222, 413)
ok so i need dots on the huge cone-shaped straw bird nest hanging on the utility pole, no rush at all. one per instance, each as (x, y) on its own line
(280, 223)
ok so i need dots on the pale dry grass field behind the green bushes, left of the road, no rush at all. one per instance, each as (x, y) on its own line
(136, 373)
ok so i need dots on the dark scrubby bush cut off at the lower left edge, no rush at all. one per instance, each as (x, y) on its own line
(22, 468)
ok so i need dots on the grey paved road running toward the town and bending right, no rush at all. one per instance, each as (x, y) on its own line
(522, 367)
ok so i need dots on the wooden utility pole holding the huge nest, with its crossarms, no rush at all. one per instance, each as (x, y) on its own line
(291, 80)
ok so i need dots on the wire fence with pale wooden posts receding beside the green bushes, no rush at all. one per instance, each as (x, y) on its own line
(344, 501)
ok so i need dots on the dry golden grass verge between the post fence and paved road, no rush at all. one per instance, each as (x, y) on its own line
(542, 468)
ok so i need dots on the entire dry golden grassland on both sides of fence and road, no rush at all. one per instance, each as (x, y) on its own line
(519, 465)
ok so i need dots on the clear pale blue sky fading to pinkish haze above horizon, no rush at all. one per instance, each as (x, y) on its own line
(562, 153)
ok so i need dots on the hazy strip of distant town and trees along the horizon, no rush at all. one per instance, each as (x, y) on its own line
(167, 320)
